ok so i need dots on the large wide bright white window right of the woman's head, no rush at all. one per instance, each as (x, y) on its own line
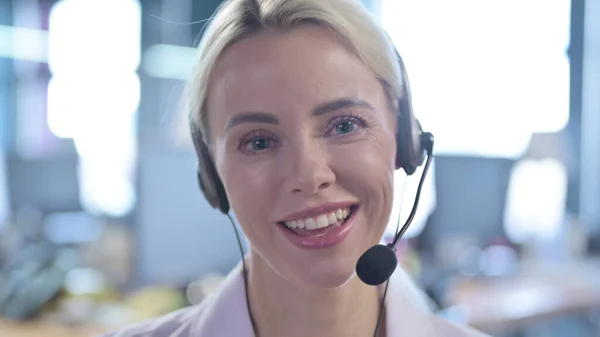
(484, 75)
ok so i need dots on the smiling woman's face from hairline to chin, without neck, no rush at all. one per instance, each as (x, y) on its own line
(301, 127)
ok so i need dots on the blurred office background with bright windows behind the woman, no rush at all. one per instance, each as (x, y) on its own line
(102, 223)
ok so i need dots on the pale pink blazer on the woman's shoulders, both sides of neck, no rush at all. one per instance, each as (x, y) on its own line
(224, 314)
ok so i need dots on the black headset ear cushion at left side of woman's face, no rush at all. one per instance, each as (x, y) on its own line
(208, 178)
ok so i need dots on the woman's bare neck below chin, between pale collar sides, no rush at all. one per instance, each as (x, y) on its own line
(280, 308)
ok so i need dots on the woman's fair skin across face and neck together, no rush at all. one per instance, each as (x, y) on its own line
(292, 159)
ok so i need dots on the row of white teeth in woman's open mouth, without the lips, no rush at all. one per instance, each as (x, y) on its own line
(320, 225)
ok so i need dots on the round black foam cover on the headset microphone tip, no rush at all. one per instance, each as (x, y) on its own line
(376, 265)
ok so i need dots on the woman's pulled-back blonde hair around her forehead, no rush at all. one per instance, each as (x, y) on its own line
(236, 19)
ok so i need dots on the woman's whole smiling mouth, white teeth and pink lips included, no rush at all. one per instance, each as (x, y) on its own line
(319, 228)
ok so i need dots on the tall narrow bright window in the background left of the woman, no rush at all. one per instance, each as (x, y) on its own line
(94, 94)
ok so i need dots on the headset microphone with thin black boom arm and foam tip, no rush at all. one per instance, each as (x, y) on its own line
(379, 262)
